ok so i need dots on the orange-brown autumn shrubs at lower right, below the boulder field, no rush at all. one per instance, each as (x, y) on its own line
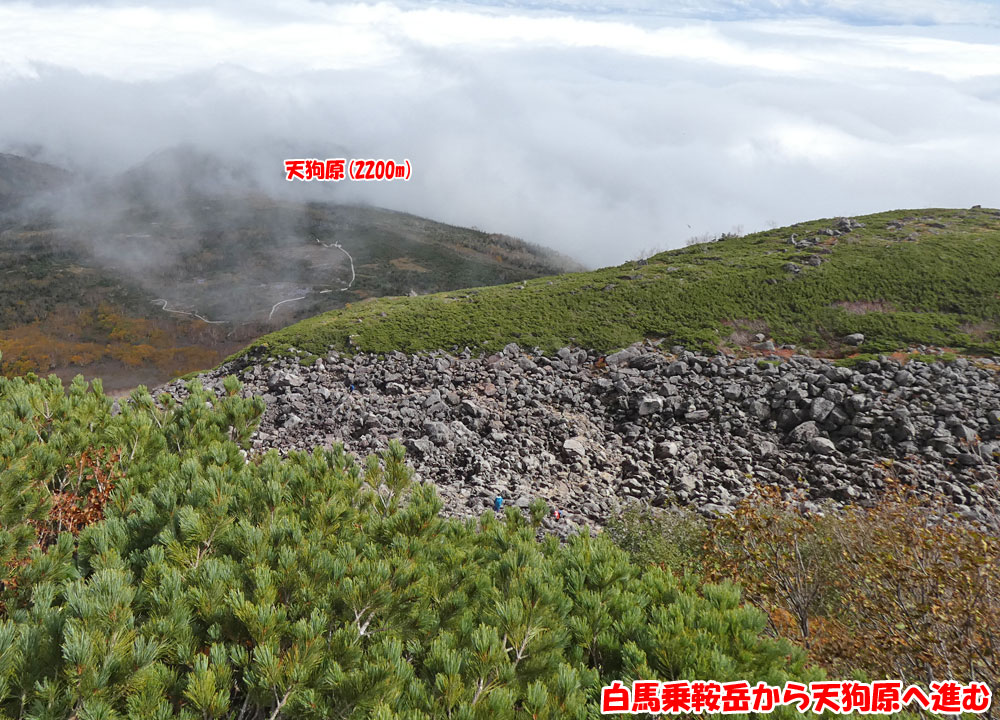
(904, 589)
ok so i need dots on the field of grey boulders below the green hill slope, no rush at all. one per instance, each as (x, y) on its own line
(587, 433)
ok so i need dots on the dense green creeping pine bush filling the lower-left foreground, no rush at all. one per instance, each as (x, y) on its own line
(199, 584)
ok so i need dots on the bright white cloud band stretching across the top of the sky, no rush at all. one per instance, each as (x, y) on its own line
(143, 43)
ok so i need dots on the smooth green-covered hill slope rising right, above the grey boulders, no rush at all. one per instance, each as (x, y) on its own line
(935, 280)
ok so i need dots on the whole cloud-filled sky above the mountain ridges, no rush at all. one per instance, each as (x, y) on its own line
(599, 128)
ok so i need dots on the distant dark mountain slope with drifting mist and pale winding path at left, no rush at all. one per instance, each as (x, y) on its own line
(183, 259)
